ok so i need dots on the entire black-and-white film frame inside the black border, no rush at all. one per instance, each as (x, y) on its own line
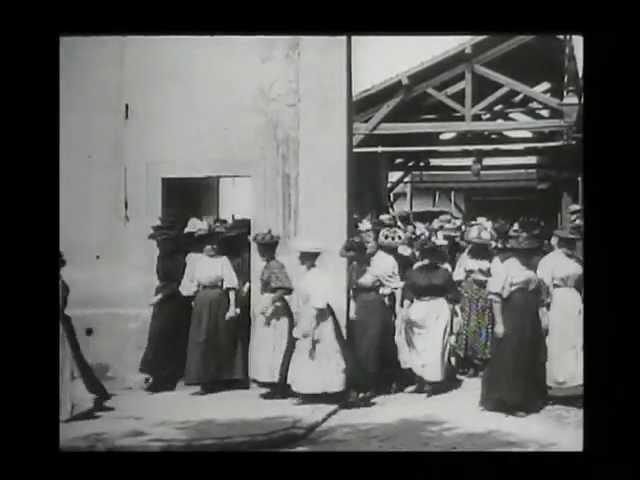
(321, 242)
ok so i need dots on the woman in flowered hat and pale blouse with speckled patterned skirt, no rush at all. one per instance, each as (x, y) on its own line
(472, 274)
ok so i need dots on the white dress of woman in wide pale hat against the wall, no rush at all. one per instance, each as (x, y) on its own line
(317, 364)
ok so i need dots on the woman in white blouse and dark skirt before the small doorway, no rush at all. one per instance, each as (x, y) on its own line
(212, 362)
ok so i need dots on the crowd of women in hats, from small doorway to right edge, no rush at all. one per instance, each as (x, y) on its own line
(429, 302)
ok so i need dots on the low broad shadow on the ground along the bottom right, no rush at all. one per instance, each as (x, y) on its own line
(422, 435)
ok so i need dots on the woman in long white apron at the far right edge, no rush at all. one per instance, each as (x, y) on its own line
(565, 337)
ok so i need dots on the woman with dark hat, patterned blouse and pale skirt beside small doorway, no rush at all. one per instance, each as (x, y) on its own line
(271, 342)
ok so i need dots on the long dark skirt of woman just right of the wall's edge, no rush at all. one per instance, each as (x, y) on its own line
(366, 333)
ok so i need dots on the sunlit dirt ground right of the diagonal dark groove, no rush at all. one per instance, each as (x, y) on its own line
(452, 421)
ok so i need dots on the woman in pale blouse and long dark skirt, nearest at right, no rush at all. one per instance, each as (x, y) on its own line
(514, 381)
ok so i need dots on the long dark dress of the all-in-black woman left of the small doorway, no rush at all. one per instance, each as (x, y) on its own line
(166, 351)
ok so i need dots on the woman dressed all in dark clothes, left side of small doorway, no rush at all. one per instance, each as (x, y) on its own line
(166, 351)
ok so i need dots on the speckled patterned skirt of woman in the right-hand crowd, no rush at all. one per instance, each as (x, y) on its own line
(473, 342)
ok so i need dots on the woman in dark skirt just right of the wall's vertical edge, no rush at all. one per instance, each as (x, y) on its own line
(369, 317)
